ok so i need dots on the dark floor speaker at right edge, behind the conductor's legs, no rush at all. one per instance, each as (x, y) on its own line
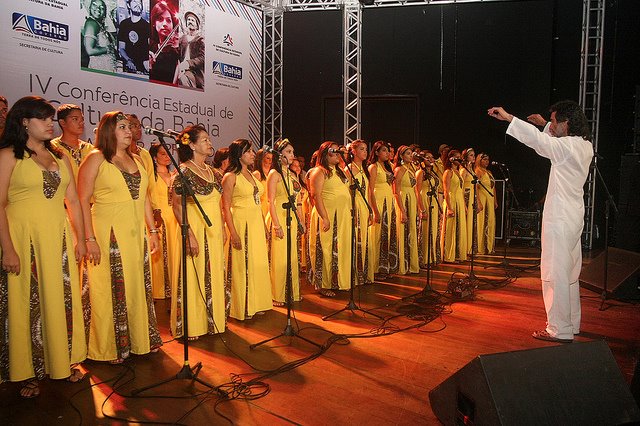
(623, 274)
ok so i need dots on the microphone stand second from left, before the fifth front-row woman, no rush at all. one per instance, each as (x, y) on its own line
(290, 207)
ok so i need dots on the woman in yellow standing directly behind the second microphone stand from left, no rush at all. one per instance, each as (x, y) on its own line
(277, 224)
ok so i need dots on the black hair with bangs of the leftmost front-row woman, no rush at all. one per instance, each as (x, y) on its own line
(15, 133)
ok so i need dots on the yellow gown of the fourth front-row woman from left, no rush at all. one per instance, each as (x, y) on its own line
(249, 266)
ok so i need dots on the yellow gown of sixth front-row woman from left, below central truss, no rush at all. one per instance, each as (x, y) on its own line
(330, 251)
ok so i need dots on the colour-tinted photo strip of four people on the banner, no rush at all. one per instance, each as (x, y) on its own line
(159, 40)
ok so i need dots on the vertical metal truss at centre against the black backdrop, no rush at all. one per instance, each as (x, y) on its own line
(352, 20)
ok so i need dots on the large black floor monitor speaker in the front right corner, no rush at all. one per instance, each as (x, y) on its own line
(569, 384)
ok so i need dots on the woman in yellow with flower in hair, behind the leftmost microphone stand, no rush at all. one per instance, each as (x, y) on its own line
(206, 294)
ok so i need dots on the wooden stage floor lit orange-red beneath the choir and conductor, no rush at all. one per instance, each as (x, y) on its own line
(371, 371)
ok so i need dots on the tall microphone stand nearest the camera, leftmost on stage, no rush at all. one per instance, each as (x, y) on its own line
(186, 372)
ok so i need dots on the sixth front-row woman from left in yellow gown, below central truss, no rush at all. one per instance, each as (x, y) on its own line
(330, 242)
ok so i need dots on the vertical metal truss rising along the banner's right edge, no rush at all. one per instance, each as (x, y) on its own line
(272, 76)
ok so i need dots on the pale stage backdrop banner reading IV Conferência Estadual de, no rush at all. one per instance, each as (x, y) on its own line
(172, 62)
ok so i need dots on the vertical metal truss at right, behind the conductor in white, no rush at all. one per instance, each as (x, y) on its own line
(590, 85)
